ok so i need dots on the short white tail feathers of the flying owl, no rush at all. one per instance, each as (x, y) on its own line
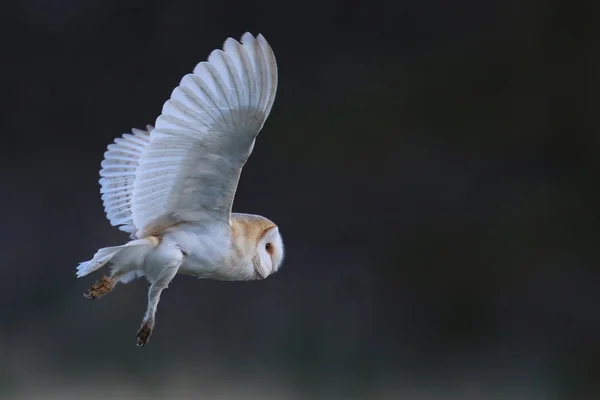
(125, 258)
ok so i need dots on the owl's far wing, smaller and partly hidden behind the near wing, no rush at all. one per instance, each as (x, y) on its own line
(117, 175)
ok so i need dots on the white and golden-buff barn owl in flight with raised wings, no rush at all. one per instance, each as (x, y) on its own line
(171, 186)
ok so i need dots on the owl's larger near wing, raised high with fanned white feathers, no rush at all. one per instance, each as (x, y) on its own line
(190, 169)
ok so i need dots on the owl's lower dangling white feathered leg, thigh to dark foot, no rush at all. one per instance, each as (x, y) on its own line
(159, 279)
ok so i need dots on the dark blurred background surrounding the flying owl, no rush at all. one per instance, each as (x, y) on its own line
(434, 167)
